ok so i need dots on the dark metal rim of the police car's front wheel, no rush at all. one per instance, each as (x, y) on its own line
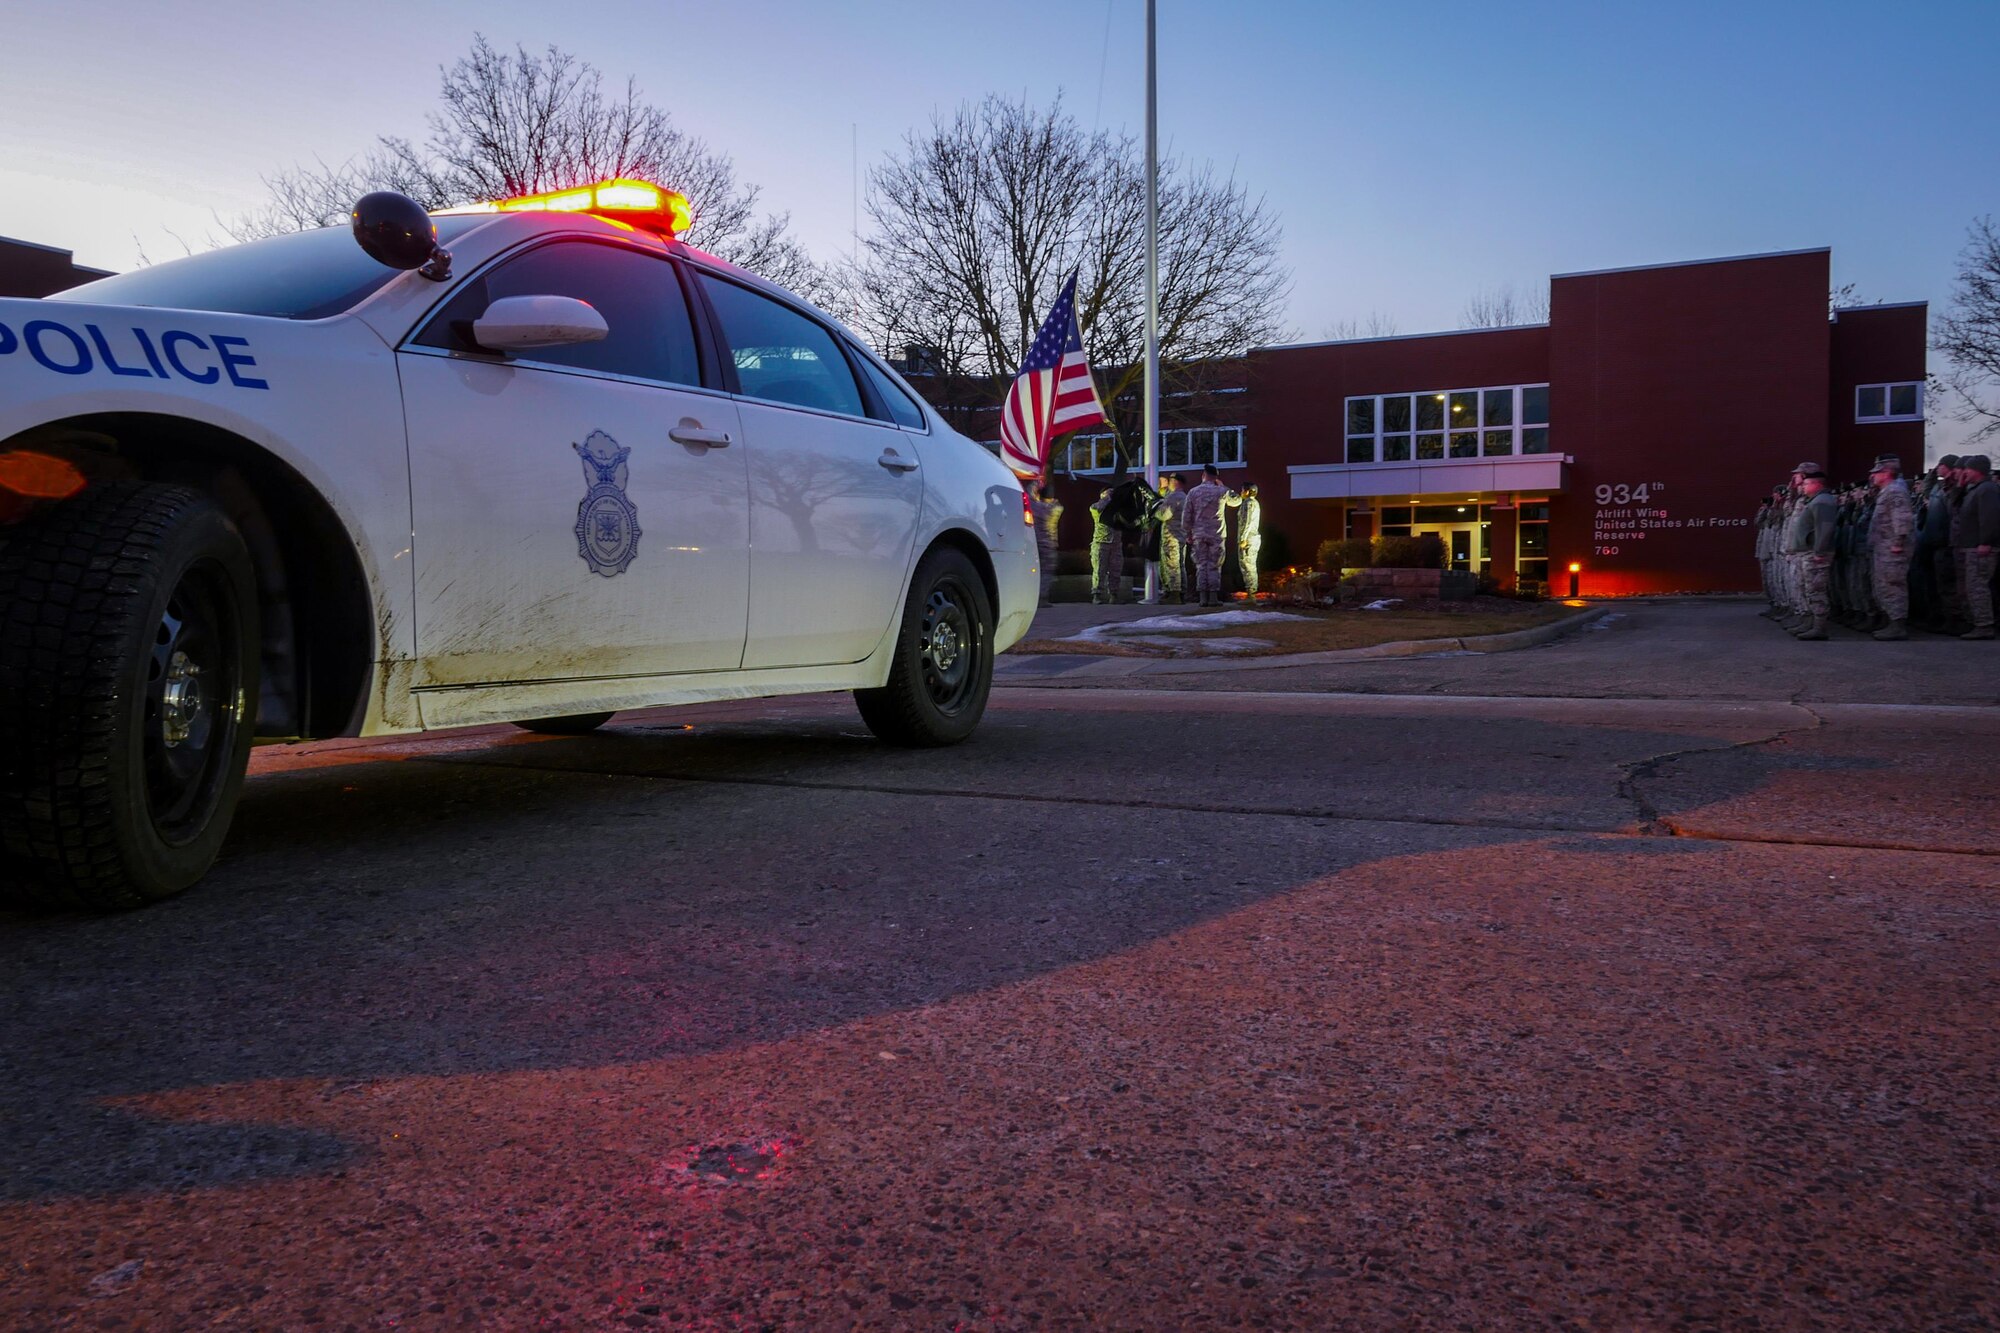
(193, 704)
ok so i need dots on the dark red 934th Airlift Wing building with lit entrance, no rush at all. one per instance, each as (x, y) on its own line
(1631, 435)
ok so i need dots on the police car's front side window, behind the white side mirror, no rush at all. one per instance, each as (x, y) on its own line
(639, 295)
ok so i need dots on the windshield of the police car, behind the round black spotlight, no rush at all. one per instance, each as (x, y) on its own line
(299, 277)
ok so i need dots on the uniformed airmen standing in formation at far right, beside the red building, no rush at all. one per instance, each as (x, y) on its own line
(1883, 557)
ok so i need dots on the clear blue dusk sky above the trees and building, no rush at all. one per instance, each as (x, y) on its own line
(1415, 153)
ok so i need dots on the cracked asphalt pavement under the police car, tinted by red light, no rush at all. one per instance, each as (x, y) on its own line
(1641, 980)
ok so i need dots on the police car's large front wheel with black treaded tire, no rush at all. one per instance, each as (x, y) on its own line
(129, 680)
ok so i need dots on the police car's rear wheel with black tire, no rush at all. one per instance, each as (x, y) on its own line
(943, 665)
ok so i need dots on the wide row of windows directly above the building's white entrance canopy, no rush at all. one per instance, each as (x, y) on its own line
(1459, 423)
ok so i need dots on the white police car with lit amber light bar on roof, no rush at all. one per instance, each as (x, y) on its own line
(309, 487)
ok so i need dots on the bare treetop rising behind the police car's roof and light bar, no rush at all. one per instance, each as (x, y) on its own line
(517, 123)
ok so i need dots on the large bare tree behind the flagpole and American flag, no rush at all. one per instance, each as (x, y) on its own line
(981, 217)
